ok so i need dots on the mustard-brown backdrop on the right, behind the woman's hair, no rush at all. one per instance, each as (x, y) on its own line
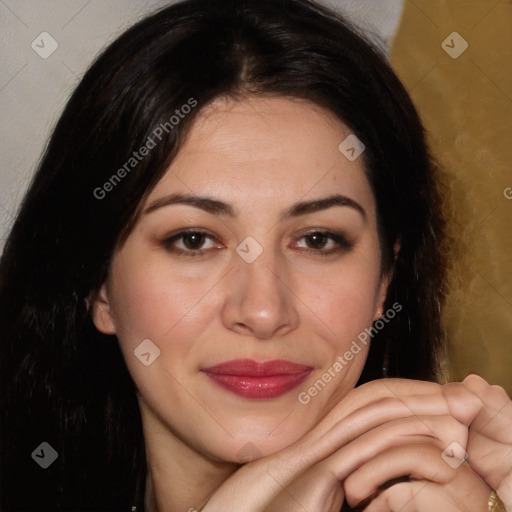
(455, 58)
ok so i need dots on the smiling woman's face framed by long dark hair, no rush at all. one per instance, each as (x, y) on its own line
(281, 266)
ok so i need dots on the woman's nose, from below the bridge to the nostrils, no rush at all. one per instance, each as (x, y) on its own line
(260, 302)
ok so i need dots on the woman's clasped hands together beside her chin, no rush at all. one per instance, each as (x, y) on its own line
(389, 445)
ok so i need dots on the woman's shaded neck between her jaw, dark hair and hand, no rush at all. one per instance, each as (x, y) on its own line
(180, 477)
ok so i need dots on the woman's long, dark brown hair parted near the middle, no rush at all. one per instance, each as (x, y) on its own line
(64, 382)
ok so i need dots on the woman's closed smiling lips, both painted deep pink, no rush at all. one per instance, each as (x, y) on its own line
(258, 380)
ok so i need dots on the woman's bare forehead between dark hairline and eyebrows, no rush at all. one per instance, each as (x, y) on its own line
(270, 149)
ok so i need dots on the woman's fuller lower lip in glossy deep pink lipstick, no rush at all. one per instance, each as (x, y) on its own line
(259, 388)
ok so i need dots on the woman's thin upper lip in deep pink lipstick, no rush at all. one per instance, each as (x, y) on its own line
(251, 368)
